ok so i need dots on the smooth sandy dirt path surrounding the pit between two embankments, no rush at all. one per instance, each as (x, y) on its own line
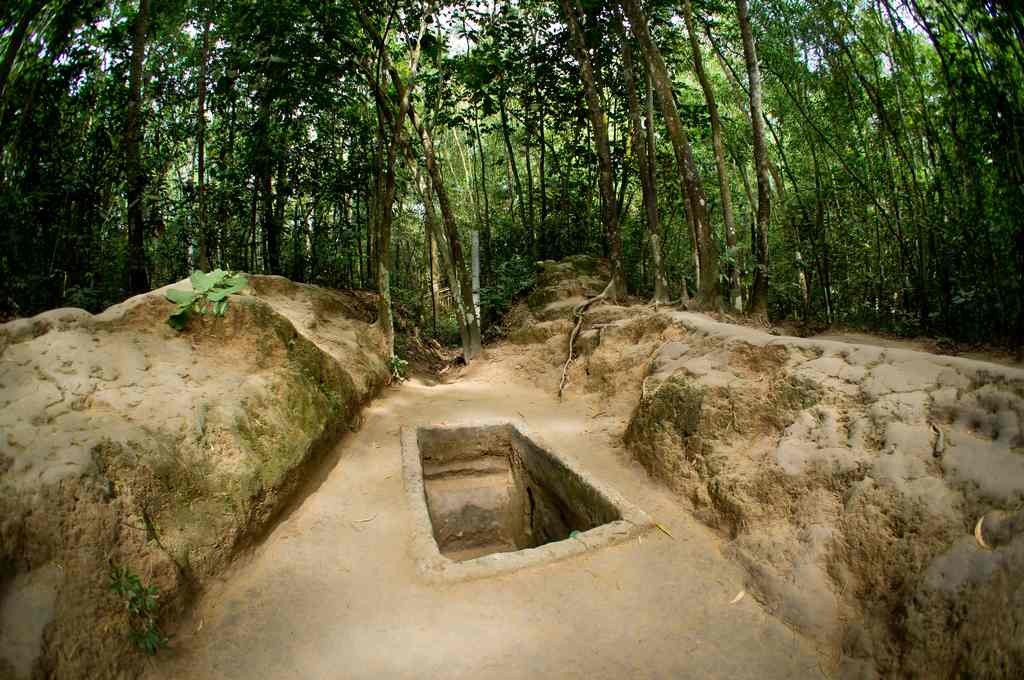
(333, 592)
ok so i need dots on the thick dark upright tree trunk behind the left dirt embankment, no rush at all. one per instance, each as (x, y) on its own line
(139, 274)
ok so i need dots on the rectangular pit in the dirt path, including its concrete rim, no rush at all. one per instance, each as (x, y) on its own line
(490, 499)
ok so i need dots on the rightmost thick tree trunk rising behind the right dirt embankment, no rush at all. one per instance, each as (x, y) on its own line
(759, 295)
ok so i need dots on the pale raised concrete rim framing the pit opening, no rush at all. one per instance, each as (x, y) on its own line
(435, 568)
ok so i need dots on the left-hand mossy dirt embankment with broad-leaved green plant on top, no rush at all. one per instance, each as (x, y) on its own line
(124, 444)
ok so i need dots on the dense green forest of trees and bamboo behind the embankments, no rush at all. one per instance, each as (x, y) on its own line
(856, 162)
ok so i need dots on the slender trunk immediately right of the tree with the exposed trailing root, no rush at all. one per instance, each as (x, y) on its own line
(642, 154)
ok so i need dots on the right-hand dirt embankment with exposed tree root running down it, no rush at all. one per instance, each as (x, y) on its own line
(849, 479)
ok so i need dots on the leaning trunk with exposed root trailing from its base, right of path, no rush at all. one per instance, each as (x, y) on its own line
(600, 125)
